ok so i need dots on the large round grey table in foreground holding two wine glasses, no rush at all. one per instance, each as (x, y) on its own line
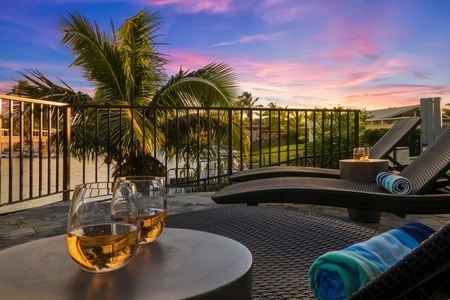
(180, 264)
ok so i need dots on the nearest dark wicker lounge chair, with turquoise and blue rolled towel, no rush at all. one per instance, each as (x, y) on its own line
(285, 242)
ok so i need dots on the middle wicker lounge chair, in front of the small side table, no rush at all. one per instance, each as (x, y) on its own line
(423, 173)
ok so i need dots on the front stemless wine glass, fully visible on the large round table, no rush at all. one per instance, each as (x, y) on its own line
(103, 229)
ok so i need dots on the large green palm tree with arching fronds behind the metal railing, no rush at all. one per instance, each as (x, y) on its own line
(126, 69)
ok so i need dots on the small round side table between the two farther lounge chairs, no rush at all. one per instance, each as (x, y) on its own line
(363, 171)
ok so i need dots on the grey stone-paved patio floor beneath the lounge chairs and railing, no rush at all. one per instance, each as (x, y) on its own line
(51, 219)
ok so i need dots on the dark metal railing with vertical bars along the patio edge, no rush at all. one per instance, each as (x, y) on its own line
(43, 152)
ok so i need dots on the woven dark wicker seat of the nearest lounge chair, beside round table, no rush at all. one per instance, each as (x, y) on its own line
(283, 242)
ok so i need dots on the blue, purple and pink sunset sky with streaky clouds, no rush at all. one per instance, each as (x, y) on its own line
(297, 53)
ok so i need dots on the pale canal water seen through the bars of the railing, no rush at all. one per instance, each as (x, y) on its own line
(38, 178)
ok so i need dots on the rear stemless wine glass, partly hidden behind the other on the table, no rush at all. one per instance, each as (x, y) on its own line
(151, 195)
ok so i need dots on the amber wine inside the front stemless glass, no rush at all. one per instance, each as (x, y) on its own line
(104, 247)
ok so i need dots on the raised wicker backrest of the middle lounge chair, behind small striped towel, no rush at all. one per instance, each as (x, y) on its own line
(430, 165)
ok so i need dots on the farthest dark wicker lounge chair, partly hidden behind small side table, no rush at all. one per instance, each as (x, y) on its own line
(381, 149)
